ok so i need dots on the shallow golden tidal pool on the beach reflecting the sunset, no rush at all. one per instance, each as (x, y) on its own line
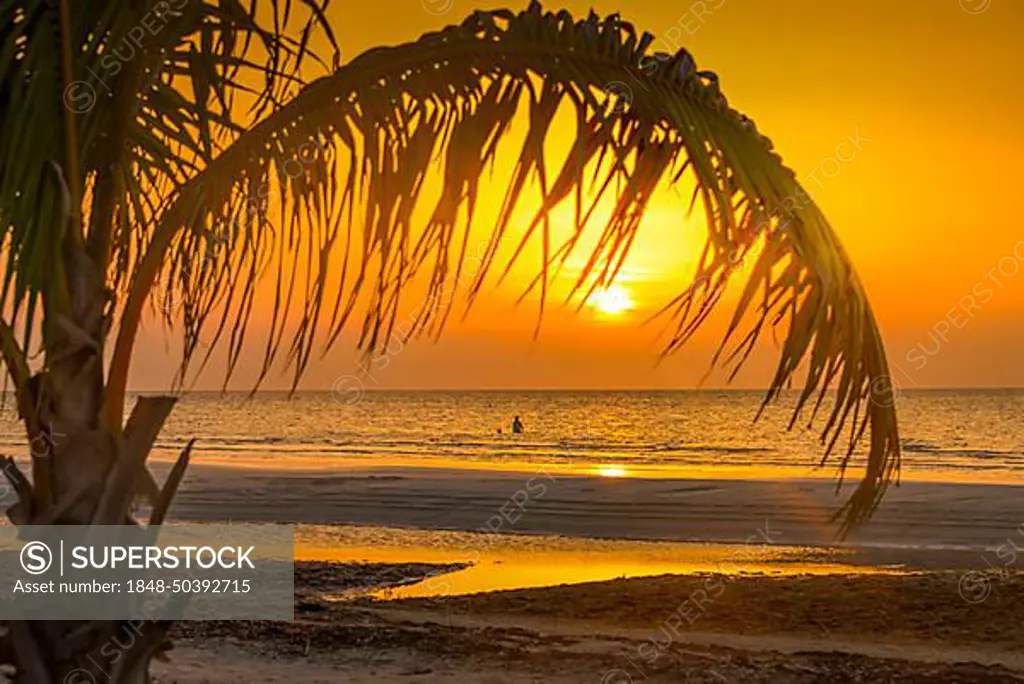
(499, 563)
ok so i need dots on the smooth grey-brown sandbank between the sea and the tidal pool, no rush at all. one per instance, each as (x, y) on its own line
(919, 515)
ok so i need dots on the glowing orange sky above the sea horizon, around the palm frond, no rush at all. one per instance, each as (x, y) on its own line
(932, 93)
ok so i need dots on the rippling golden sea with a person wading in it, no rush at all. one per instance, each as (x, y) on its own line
(959, 436)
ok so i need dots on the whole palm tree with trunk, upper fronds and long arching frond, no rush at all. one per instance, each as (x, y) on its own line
(139, 143)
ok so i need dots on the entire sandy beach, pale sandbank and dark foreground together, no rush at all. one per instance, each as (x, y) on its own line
(915, 625)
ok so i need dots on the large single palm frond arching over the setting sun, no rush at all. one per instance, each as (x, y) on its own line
(367, 137)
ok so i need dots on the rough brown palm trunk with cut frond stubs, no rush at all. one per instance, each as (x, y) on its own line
(84, 476)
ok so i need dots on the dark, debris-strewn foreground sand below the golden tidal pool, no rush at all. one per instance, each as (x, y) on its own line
(909, 629)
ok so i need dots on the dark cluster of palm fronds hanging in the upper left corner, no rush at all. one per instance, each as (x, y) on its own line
(158, 89)
